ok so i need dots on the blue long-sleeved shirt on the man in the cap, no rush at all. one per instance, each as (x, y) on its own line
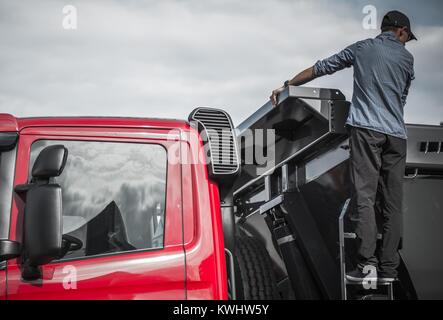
(383, 71)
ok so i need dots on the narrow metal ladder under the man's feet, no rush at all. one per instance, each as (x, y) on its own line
(350, 235)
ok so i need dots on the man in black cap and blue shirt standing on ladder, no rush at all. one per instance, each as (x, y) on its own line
(383, 71)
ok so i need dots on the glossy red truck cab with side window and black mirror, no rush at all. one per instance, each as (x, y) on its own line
(140, 219)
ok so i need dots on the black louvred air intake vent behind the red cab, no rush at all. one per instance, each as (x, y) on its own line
(216, 130)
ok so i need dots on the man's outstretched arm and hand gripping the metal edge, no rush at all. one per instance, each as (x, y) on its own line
(339, 61)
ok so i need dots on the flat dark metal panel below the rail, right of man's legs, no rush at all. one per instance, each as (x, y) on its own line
(422, 235)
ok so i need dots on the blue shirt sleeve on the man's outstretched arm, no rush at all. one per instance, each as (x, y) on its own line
(339, 61)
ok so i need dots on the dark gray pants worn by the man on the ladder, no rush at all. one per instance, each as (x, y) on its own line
(377, 168)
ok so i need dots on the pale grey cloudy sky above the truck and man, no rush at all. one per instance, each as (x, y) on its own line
(163, 58)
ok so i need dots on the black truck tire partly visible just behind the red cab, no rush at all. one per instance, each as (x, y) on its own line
(254, 276)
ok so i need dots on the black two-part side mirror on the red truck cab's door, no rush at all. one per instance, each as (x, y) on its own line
(43, 227)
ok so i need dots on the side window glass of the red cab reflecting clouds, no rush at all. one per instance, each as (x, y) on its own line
(113, 195)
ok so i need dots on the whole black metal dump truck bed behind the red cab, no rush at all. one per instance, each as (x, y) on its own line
(293, 205)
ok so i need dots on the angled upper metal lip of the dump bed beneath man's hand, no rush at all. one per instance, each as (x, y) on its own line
(304, 118)
